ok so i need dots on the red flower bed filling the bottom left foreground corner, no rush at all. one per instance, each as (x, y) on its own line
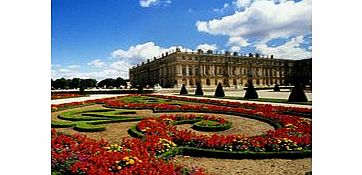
(76, 155)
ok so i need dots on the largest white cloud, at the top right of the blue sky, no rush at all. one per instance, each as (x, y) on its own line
(263, 20)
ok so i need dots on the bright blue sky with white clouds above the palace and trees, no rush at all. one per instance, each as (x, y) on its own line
(103, 38)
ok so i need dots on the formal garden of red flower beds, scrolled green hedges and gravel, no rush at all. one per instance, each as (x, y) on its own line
(166, 134)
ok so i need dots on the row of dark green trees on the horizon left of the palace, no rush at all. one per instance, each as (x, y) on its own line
(76, 83)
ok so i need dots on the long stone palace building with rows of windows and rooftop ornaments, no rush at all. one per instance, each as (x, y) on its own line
(231, 69)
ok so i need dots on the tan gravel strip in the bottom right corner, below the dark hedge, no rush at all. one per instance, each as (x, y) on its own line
(215, 166)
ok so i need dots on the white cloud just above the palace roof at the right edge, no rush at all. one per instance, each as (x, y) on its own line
(289, 50)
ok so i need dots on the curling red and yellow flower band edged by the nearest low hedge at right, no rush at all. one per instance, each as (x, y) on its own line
(288, 140)
